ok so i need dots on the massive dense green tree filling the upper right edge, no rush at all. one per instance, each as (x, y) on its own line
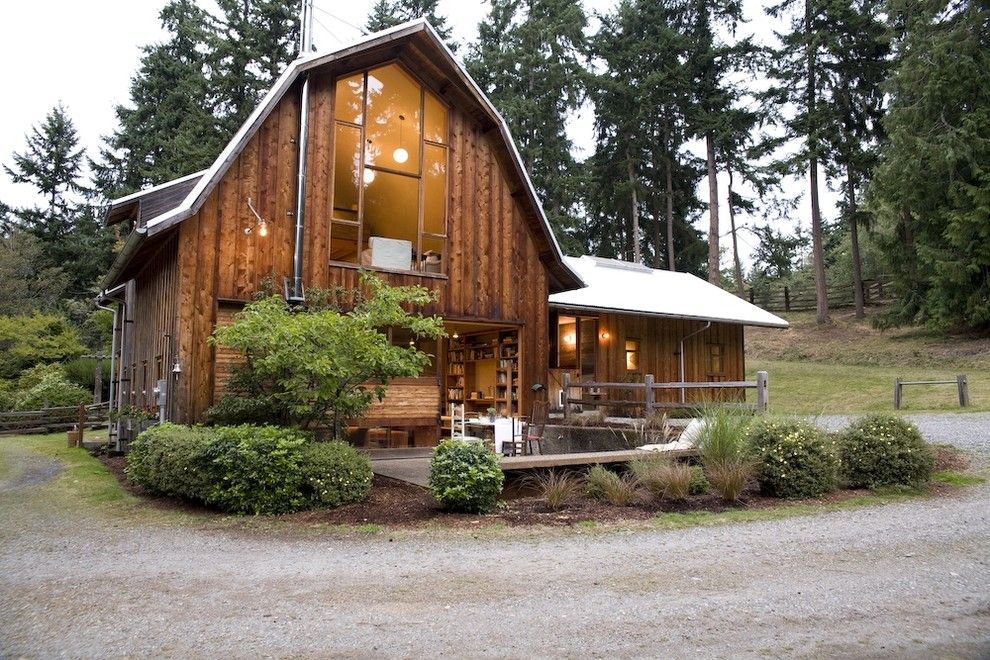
(931, 191)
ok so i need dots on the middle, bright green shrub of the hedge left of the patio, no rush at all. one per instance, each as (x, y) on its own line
(258, 469)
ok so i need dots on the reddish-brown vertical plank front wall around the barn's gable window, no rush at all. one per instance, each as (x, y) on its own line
(494, 271)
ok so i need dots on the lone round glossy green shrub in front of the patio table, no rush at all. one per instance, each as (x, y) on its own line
(465, 477)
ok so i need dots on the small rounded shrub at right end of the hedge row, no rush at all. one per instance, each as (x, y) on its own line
(334, 473)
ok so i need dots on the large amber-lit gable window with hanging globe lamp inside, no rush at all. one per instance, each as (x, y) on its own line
(390, 173)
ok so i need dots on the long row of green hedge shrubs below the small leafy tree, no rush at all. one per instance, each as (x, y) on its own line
(247, 469)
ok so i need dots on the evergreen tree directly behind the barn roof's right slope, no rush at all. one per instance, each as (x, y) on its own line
(529, 61)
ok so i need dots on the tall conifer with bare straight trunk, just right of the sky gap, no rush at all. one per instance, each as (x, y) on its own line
(797, 68)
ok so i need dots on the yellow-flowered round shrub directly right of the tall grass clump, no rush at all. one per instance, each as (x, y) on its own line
(794, 459)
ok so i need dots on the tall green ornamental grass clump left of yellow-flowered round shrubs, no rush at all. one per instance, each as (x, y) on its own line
(725, 452)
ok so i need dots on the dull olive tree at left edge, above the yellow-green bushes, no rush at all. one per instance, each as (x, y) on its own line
(26, 284)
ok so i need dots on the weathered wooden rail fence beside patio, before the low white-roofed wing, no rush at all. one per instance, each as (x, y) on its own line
(650, 388)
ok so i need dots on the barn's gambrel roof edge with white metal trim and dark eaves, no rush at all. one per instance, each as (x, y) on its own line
(432, 53)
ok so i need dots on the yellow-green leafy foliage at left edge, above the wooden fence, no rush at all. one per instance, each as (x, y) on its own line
(27, 340)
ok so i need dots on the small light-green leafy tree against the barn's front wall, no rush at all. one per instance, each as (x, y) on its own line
(321, 367)
